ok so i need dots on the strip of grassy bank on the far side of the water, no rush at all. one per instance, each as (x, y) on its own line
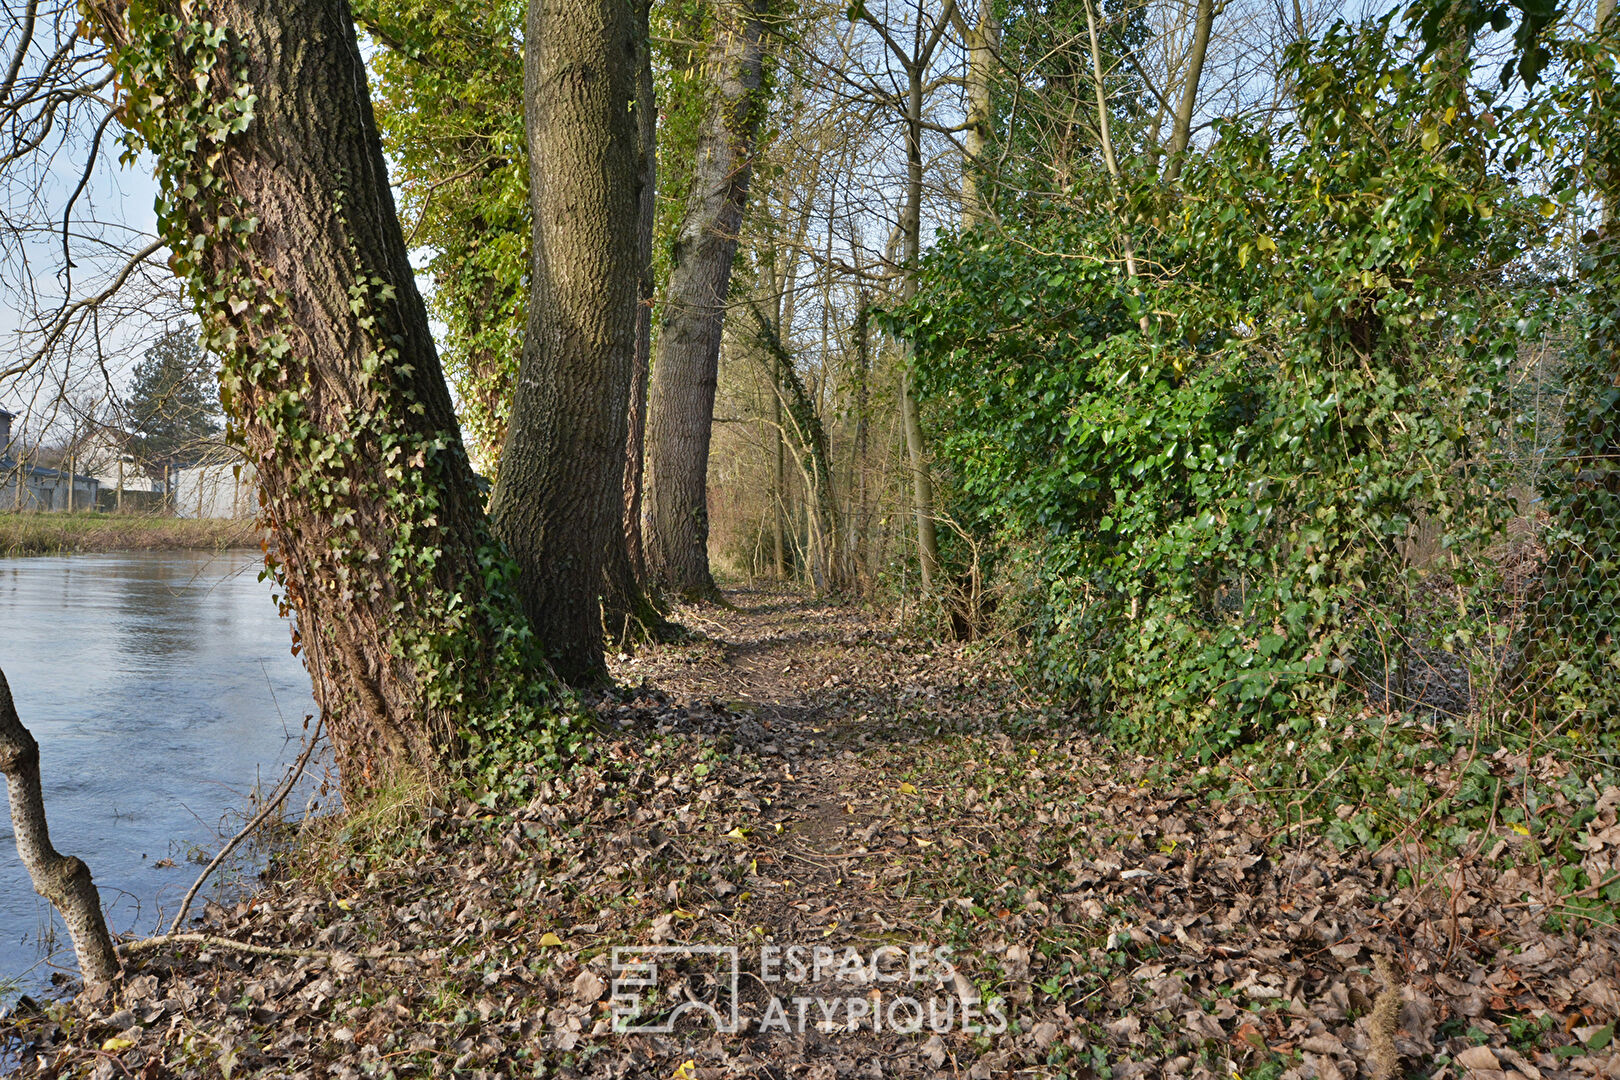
(69, 534)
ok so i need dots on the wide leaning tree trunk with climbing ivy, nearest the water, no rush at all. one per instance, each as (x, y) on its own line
(275, 200)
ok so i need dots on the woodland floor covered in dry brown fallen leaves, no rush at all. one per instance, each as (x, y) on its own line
(804, 775)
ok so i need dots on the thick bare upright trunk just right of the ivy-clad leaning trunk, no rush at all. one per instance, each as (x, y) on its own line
(560, 500)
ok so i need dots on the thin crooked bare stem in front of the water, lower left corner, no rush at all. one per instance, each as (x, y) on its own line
(62, 880)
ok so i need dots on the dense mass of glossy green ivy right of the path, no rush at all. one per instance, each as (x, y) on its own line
(1219, 508)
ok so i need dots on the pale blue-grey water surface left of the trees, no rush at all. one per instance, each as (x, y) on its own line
(163, 691)
